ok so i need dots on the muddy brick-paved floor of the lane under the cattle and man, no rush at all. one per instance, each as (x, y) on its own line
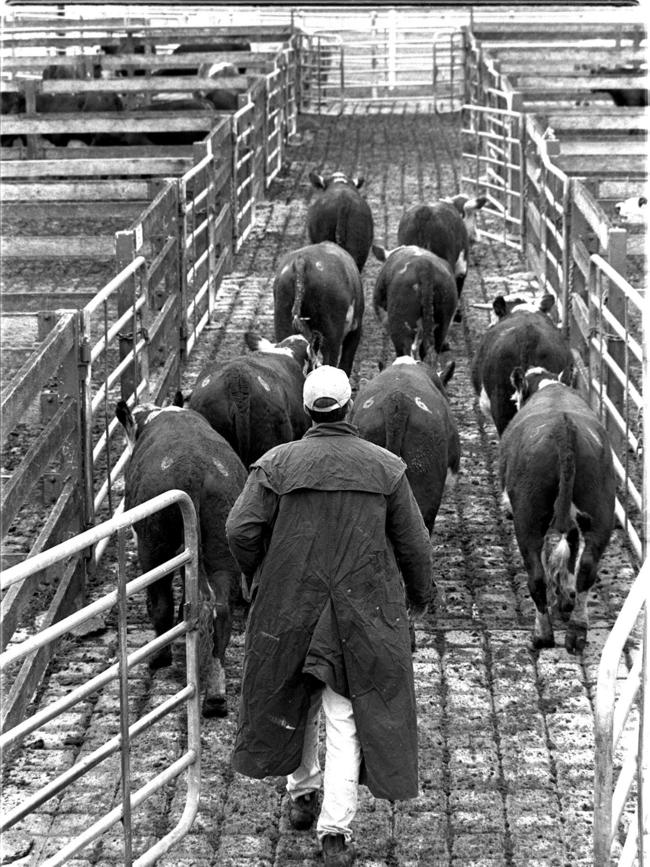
(506, 734)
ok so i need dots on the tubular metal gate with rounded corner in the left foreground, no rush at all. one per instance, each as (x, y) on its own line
(129, 656)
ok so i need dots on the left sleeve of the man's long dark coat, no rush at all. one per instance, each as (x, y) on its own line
(249, 524)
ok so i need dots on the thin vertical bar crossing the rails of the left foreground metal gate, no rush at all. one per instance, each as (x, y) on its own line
(125, 747)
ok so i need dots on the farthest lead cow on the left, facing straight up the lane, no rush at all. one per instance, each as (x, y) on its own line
(341, 214)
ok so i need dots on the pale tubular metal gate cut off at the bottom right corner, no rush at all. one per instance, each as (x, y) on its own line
(615, 715)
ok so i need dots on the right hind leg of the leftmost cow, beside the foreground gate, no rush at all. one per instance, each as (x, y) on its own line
(213, 652)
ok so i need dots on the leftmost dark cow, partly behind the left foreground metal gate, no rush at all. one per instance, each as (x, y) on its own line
(176, 448)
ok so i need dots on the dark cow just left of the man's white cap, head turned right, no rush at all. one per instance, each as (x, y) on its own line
(255, 400)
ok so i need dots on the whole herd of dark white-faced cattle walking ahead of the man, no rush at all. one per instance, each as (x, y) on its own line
(555, 465)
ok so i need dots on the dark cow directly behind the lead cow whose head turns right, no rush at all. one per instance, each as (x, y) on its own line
(415, 298)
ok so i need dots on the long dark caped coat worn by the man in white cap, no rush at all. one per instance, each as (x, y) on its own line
(325, 525)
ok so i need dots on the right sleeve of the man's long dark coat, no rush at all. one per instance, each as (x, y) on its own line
(411, 543)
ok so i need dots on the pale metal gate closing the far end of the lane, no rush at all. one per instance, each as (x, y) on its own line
(381, 66)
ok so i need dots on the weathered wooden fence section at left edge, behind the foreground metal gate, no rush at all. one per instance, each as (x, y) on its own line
(40, 398)
